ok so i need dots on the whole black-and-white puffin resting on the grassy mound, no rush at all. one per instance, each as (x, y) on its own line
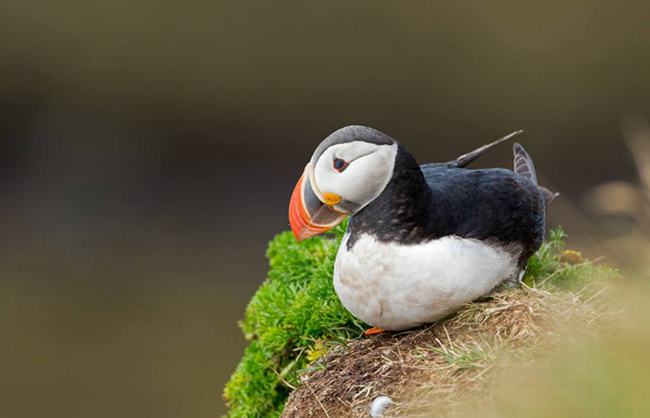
(422, 240)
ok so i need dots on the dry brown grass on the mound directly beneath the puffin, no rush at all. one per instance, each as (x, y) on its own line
(448, 362)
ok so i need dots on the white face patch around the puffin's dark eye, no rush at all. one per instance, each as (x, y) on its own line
(370, 168)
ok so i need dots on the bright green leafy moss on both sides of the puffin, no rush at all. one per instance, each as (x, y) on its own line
(295, 315)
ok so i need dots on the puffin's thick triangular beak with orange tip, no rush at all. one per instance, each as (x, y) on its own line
(308, 215)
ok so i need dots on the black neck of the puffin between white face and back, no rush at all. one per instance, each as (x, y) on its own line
(401, 211)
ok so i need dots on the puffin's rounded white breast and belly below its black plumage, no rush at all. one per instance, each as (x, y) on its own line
(395, 286)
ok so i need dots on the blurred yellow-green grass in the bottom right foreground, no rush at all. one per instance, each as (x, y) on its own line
(601, 376)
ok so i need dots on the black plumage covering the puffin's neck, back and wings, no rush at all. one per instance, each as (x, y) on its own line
(422, 203)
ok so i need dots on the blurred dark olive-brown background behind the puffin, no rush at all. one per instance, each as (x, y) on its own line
(148, 150)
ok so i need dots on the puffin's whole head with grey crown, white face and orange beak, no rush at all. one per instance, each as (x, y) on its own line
(347, 171)
